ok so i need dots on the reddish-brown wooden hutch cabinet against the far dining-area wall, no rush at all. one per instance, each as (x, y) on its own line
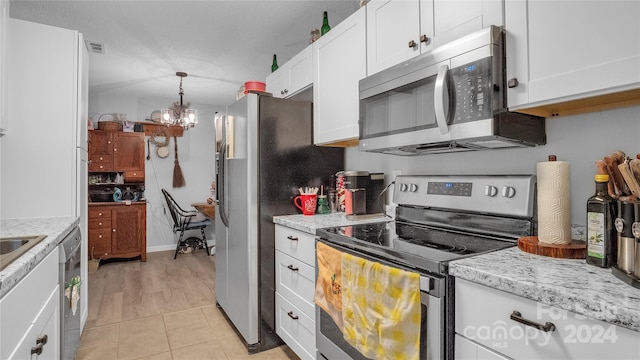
(117, 229)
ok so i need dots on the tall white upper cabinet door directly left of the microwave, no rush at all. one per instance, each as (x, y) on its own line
(340, 63)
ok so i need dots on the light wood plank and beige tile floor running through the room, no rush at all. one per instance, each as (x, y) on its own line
(161, 309)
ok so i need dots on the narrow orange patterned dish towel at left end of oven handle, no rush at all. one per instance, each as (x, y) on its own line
(328, 294)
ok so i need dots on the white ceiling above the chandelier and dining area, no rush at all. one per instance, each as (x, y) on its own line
(220, 44)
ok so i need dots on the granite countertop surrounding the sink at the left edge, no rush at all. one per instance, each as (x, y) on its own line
(55, 228)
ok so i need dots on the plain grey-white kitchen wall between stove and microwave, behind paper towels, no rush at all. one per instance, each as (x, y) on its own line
(579, 139)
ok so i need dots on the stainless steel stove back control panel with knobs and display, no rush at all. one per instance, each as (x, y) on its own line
(511, 195)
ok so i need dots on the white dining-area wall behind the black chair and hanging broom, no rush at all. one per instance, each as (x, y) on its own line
(196, 154)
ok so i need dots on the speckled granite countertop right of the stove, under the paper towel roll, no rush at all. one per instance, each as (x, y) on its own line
(572, 285)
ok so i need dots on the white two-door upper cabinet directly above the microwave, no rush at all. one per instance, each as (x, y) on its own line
(398, 30)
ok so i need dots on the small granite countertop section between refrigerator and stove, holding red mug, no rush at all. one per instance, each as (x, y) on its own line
(310, 223)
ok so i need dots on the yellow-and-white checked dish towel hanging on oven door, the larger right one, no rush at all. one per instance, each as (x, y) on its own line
(380, 309)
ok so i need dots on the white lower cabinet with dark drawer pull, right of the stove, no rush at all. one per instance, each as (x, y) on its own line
(486, 329)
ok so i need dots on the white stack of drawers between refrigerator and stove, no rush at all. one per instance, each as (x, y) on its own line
(295, 289)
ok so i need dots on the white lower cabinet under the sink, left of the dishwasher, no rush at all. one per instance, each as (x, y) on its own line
(30, 314)
